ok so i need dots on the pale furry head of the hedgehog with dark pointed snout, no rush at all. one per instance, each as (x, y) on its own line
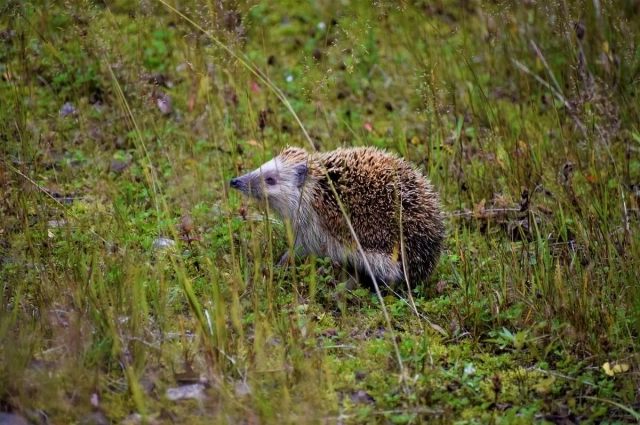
(278, 182)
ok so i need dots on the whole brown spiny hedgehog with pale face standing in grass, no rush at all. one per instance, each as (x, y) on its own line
(392, 207)
